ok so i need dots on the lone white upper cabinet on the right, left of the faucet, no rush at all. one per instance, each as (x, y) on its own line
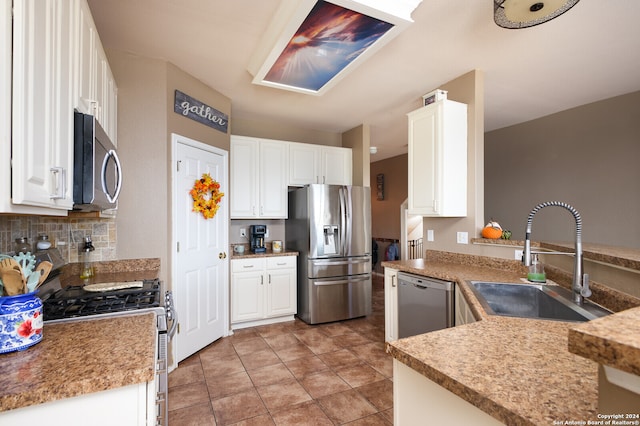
(438, 160)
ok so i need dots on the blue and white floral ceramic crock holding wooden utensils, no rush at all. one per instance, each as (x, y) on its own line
(20, 322)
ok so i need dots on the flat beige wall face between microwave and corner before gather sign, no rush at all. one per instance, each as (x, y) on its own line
(142, 227)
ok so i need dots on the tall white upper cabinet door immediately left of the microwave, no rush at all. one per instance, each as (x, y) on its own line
(42, 107)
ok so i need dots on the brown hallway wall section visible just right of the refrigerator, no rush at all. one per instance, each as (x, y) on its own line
(385, 214)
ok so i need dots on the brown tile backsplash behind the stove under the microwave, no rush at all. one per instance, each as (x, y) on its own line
(67, 234)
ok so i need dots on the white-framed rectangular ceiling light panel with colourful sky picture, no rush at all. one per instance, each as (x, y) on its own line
(311, 44)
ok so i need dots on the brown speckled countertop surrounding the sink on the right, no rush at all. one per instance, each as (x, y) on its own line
(518, 370)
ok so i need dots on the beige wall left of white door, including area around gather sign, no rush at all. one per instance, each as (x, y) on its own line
(145, 122)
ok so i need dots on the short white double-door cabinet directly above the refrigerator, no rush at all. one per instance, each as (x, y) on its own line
(310, 163)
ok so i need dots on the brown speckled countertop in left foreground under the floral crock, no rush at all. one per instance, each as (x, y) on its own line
(80, 357)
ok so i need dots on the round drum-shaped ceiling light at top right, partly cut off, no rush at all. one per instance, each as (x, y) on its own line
(528, 13)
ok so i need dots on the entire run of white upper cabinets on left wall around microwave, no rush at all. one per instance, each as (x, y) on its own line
(51, 63)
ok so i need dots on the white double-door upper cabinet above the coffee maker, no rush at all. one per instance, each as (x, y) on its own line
(258, 187)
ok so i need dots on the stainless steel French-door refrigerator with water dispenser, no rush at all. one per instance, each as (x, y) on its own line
(330, 226)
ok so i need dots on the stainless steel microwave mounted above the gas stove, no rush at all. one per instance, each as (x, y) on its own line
(97, 174)
